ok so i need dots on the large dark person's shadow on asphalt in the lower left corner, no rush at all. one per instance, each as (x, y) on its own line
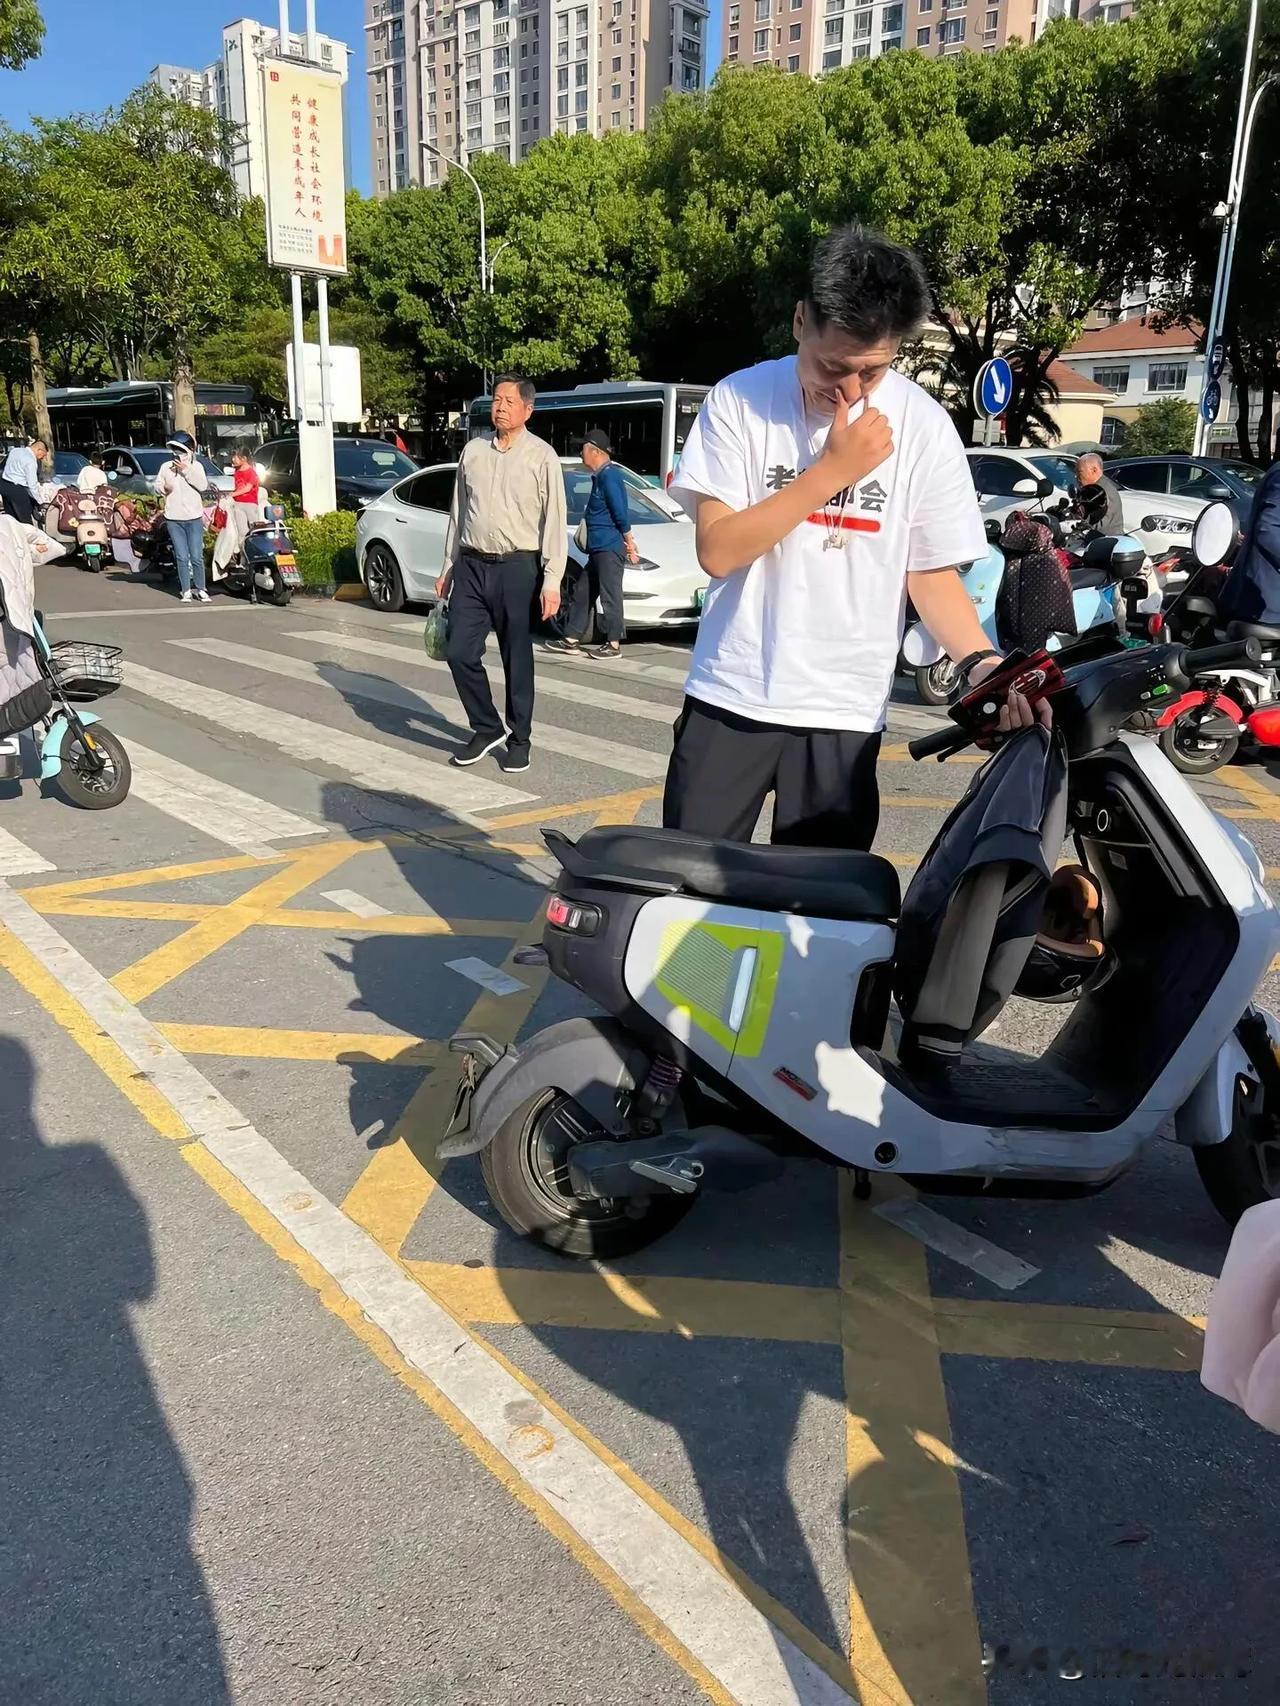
(105, 1603)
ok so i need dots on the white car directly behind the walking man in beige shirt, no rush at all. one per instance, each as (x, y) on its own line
(400, 545)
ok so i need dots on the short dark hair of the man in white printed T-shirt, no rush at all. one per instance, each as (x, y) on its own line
(866, 286)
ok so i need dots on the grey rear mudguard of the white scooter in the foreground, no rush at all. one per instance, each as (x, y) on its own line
(593, 1060)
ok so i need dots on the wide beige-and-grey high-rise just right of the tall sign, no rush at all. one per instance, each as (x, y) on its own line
(497, 76)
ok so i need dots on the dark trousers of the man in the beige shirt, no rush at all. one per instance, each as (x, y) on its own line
(494, 596)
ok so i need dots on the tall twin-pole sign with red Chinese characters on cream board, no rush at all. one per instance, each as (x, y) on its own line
(306, 226)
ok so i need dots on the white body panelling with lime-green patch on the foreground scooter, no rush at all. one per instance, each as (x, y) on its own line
(767, 1001)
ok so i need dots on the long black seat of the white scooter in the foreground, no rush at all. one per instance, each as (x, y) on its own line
(825, 883)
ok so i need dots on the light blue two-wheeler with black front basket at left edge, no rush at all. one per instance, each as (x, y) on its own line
(91, 763)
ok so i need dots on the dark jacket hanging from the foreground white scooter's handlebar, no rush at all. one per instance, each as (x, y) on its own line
(974, 908)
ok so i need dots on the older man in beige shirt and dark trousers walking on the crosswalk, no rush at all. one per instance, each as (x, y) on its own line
(506, 537)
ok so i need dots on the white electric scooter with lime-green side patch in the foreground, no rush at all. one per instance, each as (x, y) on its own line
(747, 1007)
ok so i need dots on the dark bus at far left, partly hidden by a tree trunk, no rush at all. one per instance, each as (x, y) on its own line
(141, 412)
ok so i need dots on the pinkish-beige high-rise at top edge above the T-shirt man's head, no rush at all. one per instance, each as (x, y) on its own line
(822, 35)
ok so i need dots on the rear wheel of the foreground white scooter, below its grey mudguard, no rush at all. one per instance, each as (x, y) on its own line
(527, 1173)
